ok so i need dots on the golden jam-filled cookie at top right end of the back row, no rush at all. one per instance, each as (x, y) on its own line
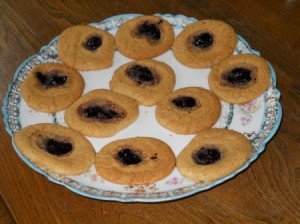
(205, 43)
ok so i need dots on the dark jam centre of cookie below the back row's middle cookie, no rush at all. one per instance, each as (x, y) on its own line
(141, 75)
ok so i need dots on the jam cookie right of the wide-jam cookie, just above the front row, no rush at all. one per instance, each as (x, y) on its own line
(188, 110)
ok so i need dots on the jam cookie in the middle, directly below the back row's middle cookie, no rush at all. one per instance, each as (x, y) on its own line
(147, 81)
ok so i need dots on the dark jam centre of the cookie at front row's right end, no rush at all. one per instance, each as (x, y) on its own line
(207, 155)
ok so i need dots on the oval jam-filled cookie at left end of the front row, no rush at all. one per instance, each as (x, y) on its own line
(55, 149)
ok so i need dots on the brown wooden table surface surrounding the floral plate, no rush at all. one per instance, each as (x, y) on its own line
(267, 192)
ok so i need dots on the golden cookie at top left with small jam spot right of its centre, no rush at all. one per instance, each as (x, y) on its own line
(86, 48)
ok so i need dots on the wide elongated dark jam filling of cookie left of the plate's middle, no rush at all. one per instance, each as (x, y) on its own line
(102, 112)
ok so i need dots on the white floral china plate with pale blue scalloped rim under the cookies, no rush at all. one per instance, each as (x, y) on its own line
(258, 120)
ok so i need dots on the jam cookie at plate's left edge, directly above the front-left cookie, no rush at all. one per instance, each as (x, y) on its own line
(52, 87)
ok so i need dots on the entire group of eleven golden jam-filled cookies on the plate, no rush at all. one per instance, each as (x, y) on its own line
(101, 113)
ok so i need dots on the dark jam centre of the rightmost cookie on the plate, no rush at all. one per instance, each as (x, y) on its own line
(238, 76)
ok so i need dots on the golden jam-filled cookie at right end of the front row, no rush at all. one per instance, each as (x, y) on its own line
(213, 154)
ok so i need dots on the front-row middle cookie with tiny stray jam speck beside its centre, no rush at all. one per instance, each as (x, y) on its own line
(140, 160)
